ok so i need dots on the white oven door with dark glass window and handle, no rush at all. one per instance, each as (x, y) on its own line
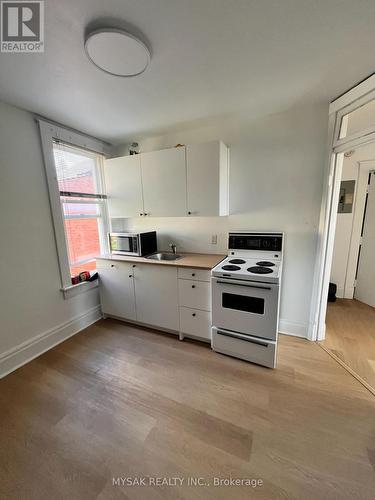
(247, 307)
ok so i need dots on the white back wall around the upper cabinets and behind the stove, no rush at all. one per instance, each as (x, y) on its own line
(276, 180)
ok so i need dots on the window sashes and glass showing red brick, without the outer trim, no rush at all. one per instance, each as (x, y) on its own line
(82, 203)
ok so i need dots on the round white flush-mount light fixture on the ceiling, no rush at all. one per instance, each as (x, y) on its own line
(117, 52)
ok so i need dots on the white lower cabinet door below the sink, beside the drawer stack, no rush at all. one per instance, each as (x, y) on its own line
(156, 295)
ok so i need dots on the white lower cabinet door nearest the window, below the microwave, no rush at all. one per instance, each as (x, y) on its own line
(116, 283)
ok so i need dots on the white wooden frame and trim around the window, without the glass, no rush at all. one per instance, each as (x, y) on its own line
(49, 133)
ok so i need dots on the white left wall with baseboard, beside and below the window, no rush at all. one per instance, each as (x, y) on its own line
(31, 303)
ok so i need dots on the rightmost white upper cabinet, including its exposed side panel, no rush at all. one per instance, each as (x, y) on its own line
(207, 179)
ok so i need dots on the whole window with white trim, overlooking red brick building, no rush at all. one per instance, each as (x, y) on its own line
(74, 168)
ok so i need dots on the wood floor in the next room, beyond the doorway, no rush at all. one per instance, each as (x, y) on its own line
(350, 336)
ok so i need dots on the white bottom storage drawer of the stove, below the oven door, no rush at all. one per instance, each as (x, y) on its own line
(254, 349)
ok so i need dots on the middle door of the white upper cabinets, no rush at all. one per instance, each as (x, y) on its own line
(164, 182)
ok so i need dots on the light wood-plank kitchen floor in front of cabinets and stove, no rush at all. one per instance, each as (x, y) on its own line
(120, 401)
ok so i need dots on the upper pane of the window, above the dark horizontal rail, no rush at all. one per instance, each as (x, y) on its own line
(76, 170)
